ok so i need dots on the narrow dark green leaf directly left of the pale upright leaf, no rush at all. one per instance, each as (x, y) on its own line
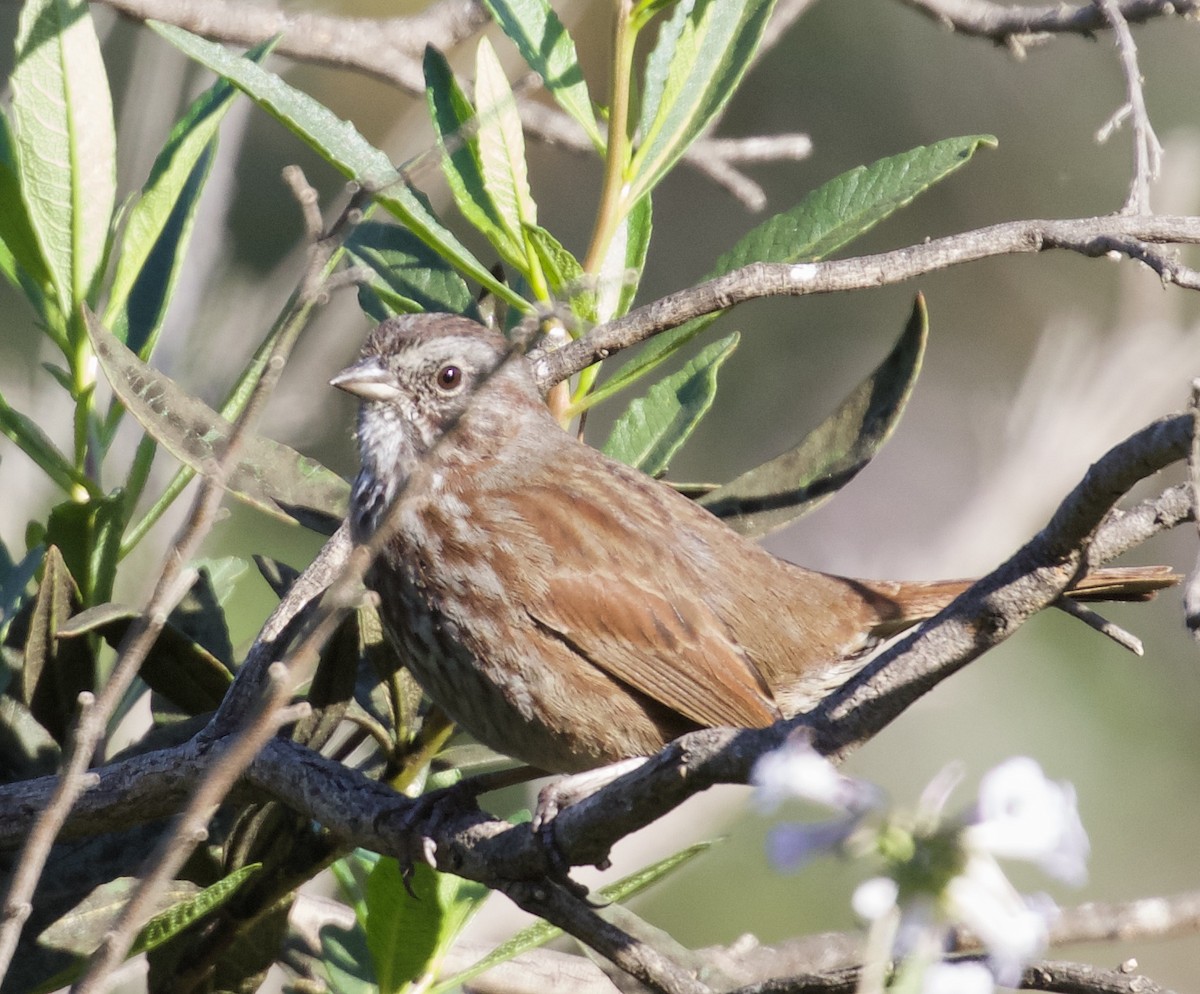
(454, 119)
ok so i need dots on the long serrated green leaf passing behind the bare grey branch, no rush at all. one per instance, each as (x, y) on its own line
(832, 215)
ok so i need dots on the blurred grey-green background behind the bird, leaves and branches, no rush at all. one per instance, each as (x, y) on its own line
(1036, 367)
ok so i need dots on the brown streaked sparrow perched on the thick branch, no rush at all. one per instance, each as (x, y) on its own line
(566, 609)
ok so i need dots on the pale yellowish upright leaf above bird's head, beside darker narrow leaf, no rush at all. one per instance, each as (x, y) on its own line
(502, 158)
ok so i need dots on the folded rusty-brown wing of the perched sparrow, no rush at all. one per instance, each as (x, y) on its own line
(580, 565)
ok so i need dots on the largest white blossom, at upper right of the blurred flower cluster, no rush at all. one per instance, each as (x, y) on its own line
(1023, 816)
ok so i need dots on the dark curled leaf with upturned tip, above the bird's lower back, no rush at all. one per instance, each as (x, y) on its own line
(800, 481)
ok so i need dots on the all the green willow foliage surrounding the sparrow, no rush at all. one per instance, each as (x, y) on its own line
(100, 279)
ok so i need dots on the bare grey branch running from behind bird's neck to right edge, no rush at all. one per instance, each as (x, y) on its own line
(1129, 235)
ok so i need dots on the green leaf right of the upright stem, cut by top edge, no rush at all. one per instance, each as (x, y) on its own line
(704, 51)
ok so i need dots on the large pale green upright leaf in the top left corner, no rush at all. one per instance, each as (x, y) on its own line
(67, 143)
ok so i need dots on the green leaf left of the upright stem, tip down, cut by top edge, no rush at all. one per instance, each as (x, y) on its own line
(544, 44)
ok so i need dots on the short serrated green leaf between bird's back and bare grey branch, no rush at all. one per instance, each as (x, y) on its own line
(653, 429)
